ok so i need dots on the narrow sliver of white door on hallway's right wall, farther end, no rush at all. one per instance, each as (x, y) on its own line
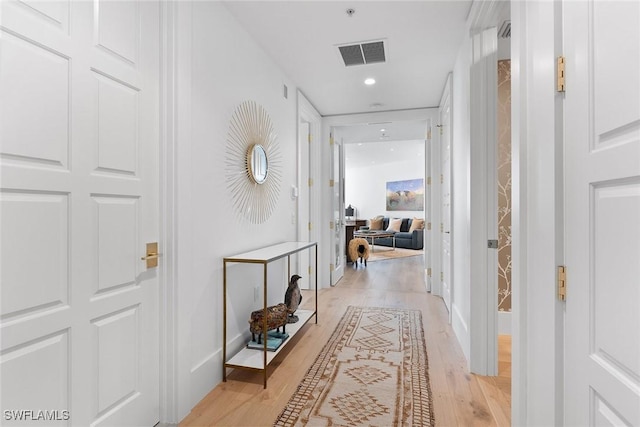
(445, 198)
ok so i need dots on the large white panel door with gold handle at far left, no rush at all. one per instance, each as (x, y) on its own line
(79, 200)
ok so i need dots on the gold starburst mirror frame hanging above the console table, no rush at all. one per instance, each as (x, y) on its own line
(250, 133)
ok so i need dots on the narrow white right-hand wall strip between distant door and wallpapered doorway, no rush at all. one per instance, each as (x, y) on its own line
(460, 167)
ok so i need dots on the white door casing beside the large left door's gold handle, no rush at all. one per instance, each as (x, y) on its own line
(175, 98)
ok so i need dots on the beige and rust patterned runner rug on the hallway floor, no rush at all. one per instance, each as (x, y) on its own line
(373, 371)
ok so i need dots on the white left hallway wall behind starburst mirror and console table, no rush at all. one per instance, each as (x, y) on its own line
(219, 67)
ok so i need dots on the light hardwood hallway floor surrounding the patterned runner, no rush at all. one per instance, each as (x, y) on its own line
(460, 398)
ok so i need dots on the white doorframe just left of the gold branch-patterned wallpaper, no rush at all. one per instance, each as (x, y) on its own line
(483, 333)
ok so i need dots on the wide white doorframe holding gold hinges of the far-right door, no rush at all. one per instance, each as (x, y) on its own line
(537, 316)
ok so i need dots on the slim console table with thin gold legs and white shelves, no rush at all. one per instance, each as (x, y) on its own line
(254, 359)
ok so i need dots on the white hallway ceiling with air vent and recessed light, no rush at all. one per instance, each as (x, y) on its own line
(422, 37)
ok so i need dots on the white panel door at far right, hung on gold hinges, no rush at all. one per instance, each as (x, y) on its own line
(602, 212)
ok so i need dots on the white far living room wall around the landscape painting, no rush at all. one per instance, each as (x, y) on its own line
(365, 187)
